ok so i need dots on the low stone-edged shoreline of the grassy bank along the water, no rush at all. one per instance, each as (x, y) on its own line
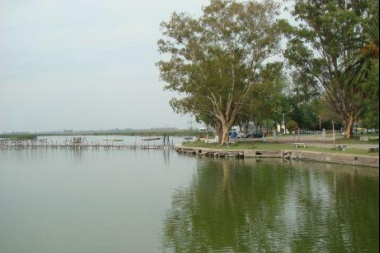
(293, 154)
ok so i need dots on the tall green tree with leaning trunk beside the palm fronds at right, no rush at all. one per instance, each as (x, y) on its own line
(316, 49)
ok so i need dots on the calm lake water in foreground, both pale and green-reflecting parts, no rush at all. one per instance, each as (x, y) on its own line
(79, 201)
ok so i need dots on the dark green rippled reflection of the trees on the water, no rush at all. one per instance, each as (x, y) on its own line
(272, 206)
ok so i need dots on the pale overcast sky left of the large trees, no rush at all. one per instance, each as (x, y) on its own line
(84, 64)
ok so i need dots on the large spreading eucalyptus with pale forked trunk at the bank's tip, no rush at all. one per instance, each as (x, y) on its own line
(214, 61)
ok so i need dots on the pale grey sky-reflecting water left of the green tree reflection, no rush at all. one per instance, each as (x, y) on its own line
(83, 200)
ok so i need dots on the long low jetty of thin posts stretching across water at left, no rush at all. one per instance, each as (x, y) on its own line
(82, 143)
